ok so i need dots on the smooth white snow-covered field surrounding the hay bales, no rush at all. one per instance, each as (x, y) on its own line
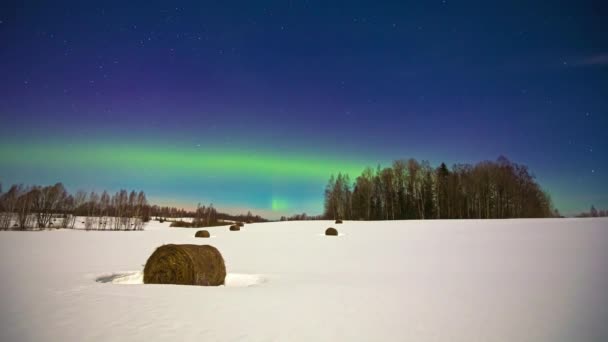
(497, 280)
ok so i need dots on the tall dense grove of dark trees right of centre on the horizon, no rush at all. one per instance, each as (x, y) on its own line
(415, 190)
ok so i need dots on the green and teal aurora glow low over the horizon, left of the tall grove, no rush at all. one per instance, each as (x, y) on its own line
(270, 182)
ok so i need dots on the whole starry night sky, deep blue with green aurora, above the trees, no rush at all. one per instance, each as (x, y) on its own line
(253, 104)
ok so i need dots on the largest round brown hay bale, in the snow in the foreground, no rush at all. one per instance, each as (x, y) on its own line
(185, 265)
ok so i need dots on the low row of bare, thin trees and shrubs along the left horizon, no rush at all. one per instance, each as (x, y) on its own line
(42, 207)
